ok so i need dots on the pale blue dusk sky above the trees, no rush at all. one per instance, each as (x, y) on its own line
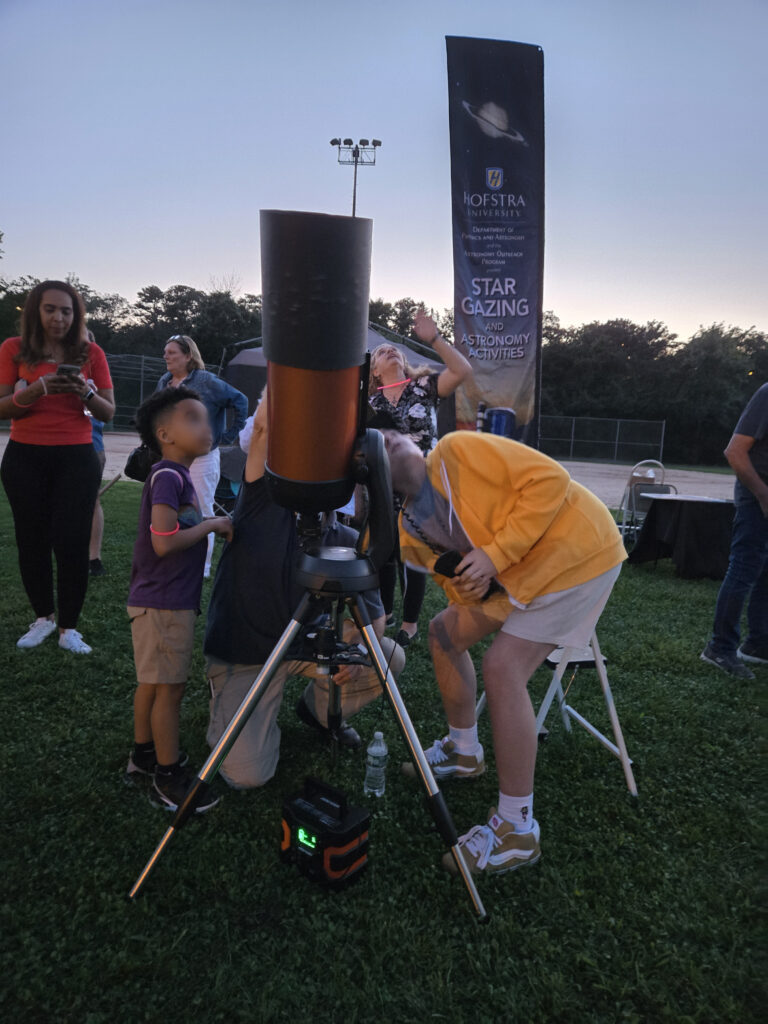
(141, 140)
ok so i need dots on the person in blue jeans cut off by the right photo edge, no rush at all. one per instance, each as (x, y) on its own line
(747, 578)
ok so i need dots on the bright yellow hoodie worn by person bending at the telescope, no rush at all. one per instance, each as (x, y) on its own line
(543, 532)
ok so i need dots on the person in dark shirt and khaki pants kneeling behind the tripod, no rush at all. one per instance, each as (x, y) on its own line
(254, 599)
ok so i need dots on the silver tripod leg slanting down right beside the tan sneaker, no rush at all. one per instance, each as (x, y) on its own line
(436, 800)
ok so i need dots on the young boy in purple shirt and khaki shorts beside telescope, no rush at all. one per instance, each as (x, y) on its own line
(166, 584)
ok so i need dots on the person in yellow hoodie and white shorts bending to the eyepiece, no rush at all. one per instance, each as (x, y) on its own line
(535, 557)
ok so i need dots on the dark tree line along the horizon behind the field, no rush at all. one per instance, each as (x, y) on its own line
(616, 369)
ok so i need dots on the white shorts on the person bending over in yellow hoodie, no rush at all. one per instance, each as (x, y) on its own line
(568, 618)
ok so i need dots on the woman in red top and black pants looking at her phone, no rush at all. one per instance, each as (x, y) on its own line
(50, 471)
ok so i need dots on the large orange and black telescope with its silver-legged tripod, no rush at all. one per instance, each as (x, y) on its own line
(316, 270)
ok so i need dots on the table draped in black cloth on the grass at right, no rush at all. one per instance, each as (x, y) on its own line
(695, 532)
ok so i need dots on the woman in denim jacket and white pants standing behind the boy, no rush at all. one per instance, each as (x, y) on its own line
(186, 367)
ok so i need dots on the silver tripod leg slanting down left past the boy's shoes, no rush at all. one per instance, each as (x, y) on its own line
(229, 737)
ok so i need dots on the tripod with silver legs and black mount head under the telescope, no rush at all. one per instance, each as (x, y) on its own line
(333, 578)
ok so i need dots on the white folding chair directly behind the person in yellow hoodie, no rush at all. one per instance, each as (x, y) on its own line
(586, 658)
